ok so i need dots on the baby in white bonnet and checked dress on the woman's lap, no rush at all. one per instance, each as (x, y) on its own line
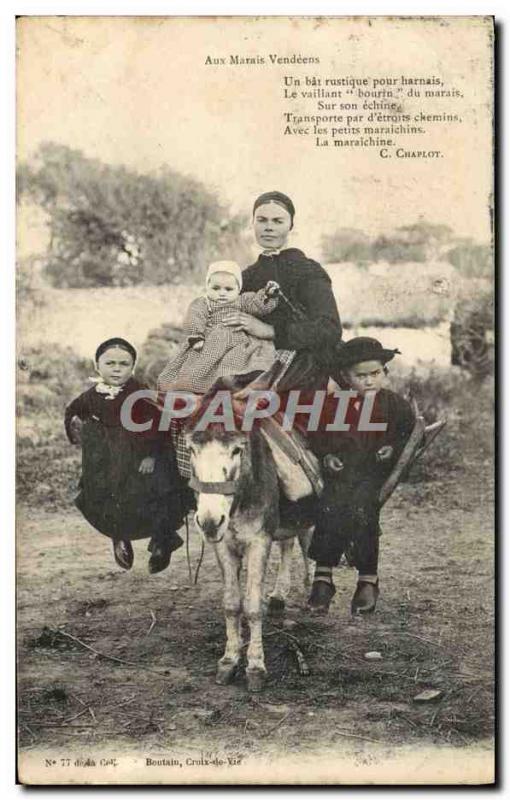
(214, 350)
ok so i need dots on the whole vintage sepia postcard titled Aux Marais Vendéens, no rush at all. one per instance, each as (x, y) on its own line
(255, 359)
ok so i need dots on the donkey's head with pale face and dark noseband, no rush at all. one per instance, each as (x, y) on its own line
(217, 461)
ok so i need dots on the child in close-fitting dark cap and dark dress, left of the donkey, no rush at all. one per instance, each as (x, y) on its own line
(130, 487)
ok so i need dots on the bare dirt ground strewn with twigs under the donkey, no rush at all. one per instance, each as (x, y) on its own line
(433, 627)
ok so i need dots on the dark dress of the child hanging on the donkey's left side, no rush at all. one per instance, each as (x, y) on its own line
(114, 496)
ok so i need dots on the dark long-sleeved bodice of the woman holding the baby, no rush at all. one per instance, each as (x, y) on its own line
(308, 286)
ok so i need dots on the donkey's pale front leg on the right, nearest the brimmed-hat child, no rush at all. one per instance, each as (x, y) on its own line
(257, 556)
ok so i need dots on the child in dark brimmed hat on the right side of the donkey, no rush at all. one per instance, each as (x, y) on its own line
(356, 464)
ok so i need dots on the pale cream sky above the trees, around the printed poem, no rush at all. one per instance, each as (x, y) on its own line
(138, 92)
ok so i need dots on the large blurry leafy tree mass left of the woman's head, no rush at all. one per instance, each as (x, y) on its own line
(112, 226)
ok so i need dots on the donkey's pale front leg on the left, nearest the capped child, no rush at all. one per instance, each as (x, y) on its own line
(230, 567)
